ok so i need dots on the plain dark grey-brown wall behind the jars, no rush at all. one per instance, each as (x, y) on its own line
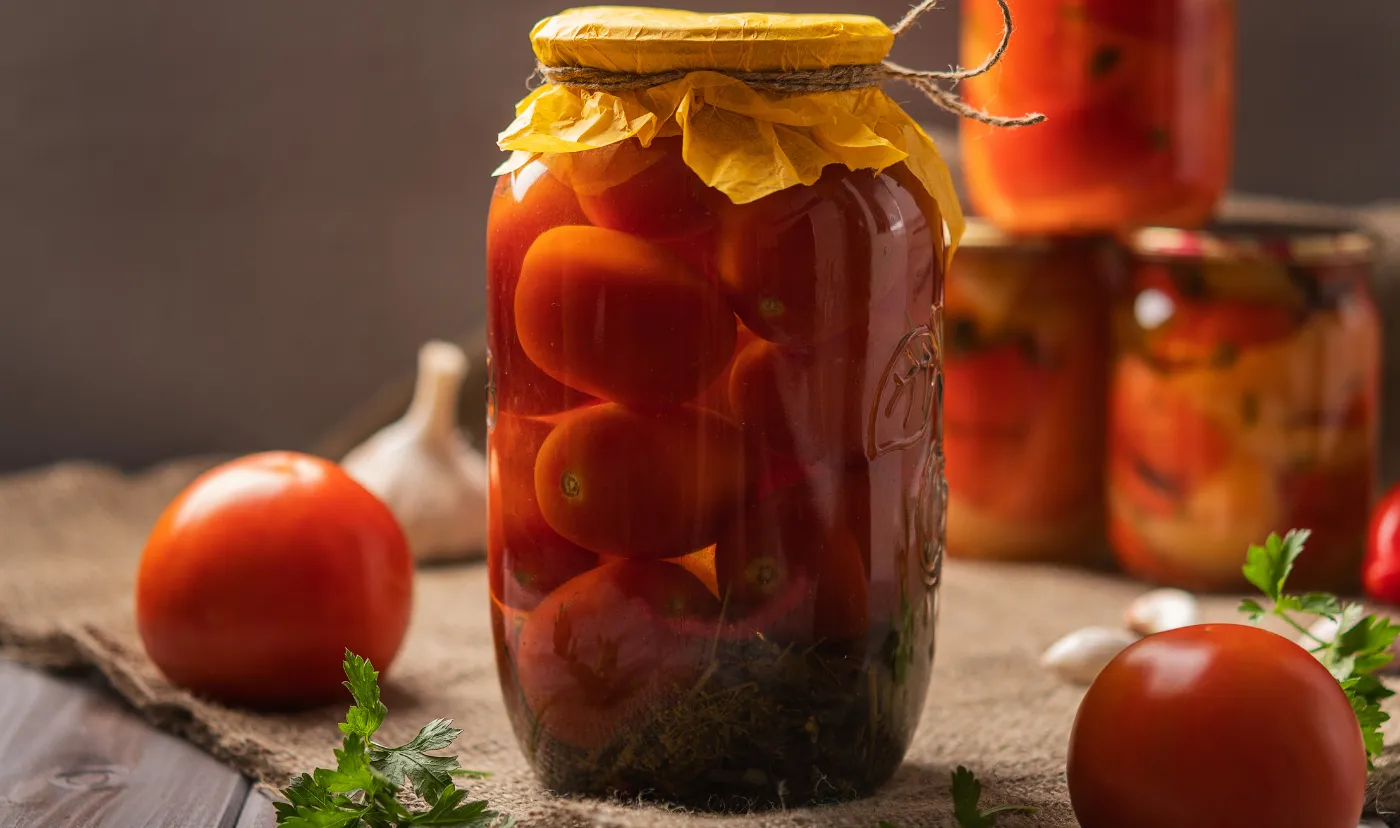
(223, 225)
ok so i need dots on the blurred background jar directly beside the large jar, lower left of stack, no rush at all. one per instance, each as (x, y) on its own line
(1027, 344)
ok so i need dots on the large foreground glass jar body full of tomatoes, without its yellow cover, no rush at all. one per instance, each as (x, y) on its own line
(716, 509)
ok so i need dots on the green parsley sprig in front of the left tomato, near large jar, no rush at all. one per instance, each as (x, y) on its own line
(367, 787)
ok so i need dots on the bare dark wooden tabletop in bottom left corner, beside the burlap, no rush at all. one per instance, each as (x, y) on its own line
(72, 756)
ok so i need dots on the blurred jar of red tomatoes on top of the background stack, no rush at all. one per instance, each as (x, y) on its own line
(1139, 103)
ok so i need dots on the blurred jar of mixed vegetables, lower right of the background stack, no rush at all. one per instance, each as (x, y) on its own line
(1244, 401)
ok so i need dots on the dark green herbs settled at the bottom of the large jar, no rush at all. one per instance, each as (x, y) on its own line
(775, 725)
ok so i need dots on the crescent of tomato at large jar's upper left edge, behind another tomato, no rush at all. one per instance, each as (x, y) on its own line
(527, 204)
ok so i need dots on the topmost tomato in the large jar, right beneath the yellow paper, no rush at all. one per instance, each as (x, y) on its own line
(645, 191)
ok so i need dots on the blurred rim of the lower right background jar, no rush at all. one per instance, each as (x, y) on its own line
(1291, 243)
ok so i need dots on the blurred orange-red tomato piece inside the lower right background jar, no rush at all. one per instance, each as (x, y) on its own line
(1156, 425)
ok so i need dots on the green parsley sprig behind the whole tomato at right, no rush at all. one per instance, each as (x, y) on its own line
(1360, 648)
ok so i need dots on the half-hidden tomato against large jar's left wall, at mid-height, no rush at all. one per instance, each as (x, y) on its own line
(527, 560)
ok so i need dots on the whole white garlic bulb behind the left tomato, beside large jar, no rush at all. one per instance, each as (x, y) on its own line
(425, 470)
